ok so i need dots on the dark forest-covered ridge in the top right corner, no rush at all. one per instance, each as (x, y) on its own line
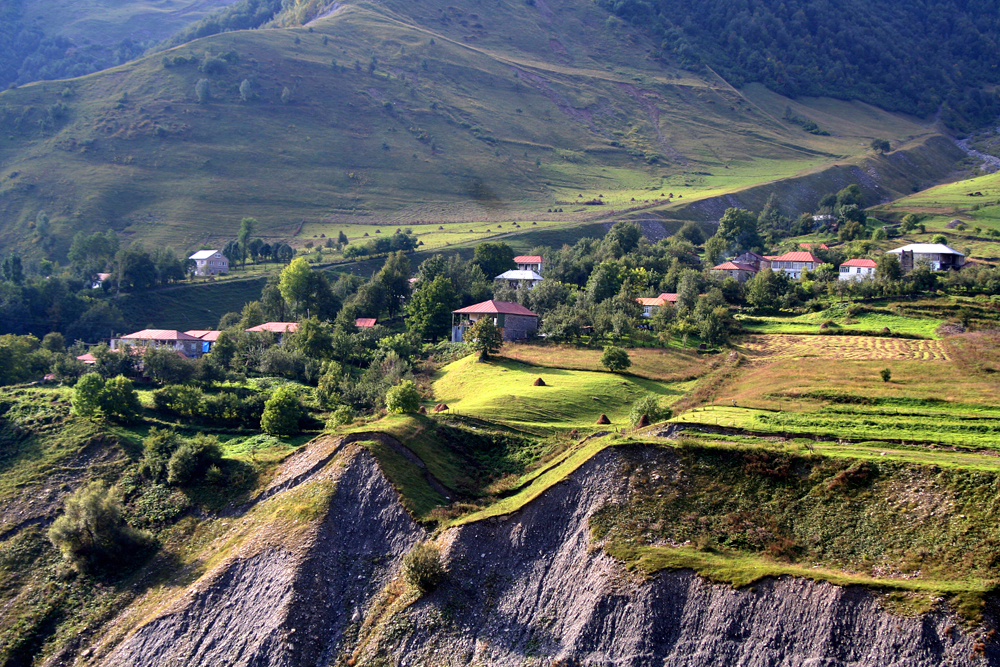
(916, 57)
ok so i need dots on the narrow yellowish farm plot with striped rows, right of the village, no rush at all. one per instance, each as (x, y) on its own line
(766, 348)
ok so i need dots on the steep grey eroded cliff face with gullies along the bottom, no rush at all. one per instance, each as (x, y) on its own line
(527, 589)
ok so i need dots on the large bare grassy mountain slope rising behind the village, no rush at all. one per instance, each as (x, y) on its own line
(402, 113)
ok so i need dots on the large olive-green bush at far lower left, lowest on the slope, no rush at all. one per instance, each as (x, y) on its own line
(91, 533)
